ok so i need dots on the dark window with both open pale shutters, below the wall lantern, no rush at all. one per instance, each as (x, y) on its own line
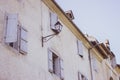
(55, 64)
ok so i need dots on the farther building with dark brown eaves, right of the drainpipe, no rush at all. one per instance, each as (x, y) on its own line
(103, 68)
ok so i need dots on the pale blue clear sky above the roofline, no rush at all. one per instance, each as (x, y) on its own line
(98, 18)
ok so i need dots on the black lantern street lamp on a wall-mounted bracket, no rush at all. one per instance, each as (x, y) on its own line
(57, 29)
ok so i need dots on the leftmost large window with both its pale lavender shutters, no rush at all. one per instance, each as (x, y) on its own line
(16, 36)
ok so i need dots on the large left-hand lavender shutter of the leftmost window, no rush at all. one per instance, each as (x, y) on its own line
(11, 28)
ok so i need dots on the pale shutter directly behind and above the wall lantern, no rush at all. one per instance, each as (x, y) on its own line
(53, 20)
